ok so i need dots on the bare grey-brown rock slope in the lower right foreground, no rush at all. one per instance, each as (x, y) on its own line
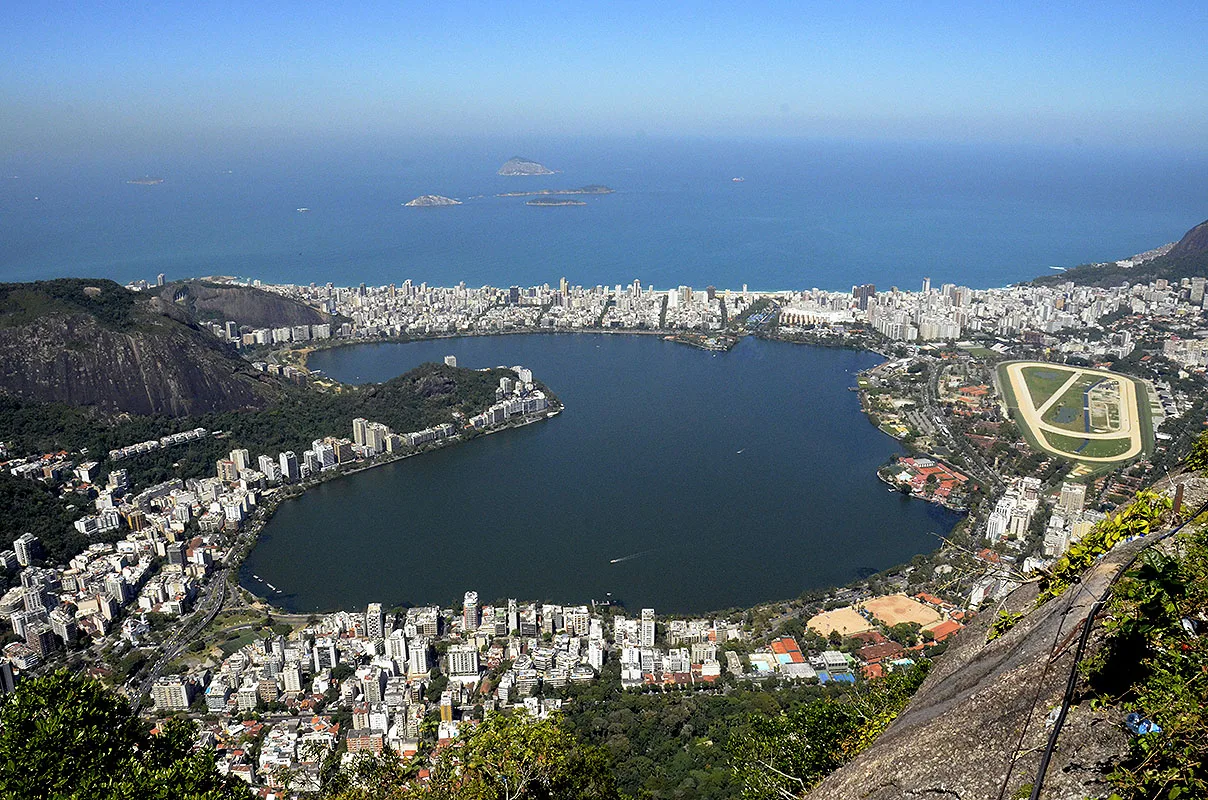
(978, 726)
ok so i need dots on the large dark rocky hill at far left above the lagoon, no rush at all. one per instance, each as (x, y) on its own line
(118, 352)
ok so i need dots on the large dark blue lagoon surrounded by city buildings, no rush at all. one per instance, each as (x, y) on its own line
(676, 478)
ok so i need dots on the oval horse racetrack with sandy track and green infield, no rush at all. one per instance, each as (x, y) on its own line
(1090, 416)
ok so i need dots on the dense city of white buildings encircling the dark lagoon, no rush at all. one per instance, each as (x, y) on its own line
(153, 606)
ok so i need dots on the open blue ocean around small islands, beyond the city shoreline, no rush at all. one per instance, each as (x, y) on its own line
(809, 213)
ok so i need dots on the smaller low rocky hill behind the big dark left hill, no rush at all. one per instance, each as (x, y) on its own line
(245, 305)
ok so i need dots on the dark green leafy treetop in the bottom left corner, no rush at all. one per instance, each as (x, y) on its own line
(66, 737)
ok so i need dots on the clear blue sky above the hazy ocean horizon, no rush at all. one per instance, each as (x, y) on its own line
(80, 77)
